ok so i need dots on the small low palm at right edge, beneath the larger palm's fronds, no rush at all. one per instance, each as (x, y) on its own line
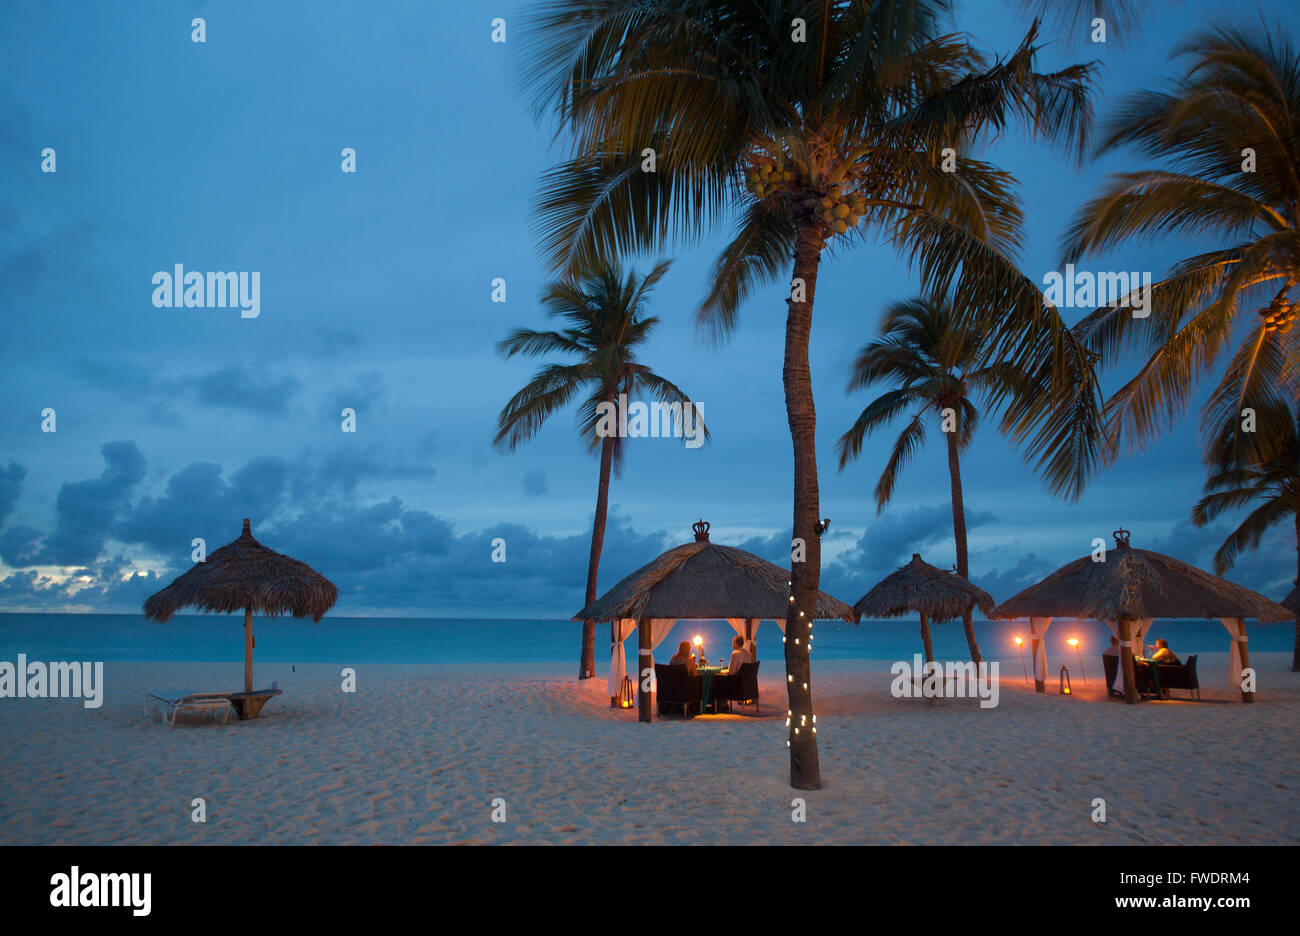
(1272, 484)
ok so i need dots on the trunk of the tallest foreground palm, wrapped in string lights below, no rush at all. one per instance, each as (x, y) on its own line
(805, 577)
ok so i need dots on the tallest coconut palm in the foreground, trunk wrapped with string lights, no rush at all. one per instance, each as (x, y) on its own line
(809, 122)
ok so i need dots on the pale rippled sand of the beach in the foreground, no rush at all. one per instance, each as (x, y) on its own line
(419, 753)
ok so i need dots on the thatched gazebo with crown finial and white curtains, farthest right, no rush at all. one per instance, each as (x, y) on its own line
(1129, 590)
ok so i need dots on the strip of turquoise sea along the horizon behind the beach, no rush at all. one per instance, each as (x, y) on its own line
(411, 640)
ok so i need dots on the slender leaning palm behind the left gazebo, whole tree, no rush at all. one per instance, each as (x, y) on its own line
(606, 324)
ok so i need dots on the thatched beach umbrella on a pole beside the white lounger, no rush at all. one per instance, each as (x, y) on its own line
(245, 575)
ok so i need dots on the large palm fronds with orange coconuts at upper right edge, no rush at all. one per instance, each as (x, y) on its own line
(1227, 135)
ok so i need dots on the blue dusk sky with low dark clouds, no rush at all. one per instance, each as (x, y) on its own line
(376, 296)
